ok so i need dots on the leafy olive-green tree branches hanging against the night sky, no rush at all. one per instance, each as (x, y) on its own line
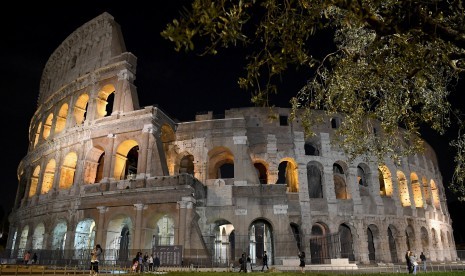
(391, 63)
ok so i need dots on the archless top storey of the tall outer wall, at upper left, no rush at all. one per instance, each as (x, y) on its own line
(90, 47)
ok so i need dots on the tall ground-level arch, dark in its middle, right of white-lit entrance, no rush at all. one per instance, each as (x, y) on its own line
(260, 240)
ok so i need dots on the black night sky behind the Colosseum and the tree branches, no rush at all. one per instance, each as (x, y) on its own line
(181, 84)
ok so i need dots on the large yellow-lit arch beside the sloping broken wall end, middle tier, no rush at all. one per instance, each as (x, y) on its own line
(126, 159)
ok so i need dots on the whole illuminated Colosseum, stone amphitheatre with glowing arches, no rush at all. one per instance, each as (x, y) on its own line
(100, 169)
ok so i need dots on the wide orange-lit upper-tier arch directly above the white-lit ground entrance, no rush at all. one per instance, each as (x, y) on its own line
(218, 157)
